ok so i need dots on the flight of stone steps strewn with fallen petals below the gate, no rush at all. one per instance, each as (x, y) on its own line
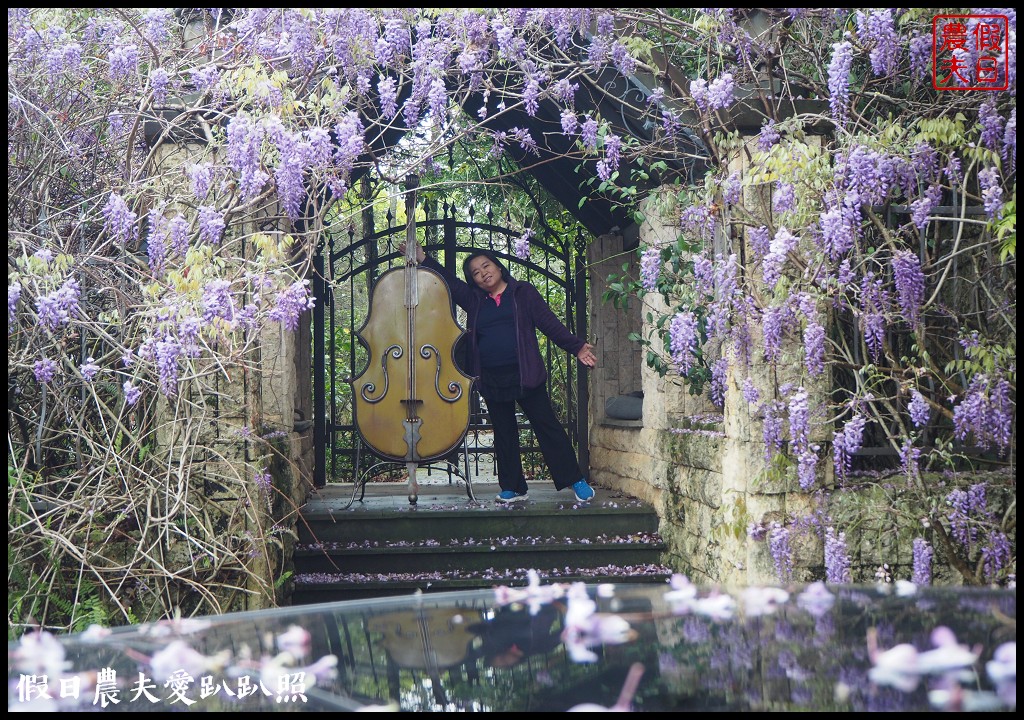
(381, 545)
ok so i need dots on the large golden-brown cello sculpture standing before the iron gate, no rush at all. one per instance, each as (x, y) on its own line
(412, 402)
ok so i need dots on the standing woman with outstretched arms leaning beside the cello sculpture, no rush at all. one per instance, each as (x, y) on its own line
(504, 316)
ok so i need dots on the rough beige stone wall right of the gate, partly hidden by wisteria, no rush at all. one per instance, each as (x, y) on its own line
(708, 482)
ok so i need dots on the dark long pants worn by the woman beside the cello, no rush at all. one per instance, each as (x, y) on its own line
(556, 445)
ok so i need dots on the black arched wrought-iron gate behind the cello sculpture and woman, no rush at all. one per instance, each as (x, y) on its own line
(346, 271)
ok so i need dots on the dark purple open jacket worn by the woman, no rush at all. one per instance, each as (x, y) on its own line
(531, 313)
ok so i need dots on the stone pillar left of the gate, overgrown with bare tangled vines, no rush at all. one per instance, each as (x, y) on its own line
(236, 418)
